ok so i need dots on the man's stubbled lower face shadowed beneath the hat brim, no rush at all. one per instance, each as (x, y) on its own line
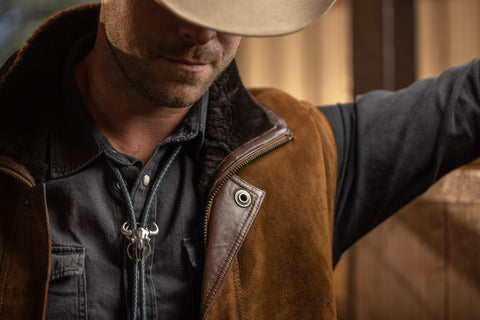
(167, 59)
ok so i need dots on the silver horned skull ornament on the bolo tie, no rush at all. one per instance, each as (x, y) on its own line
(139, 240)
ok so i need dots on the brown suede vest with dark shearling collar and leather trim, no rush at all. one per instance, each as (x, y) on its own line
(268, 258)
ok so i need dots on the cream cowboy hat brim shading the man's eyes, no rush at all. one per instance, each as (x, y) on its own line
(250, 17)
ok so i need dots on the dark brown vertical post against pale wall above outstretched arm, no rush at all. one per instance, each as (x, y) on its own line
(383, 44)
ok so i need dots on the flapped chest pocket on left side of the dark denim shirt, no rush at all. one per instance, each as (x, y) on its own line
(67, 295)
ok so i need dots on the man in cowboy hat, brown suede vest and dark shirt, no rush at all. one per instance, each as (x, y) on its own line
(140, 179)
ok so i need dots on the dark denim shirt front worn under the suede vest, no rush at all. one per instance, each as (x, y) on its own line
(89, 262)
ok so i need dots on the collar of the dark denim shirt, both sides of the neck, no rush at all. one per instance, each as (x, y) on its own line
(76, 140)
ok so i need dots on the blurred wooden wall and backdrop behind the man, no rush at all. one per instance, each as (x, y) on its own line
(424, 263)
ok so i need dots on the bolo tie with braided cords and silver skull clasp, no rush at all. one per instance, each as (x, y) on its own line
(138, 236)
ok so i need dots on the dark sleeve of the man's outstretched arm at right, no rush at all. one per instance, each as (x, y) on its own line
(393, 145)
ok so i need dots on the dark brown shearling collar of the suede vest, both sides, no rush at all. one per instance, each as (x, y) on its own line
(30, 91)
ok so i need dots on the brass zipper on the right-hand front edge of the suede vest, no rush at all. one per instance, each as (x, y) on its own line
(231, 173)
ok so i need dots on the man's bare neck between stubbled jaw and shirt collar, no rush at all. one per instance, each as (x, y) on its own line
(133, 124)
